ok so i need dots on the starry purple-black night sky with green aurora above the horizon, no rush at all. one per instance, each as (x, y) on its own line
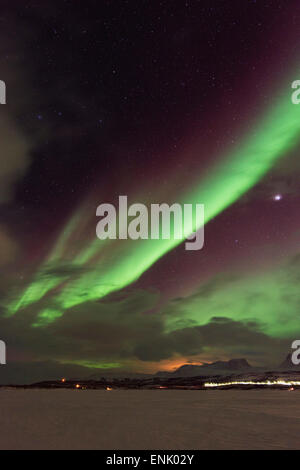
(163, 101)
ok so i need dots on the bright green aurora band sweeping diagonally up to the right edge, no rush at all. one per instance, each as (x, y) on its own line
(237, 171)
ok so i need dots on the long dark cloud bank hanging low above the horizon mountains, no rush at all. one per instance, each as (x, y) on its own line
(117, 330)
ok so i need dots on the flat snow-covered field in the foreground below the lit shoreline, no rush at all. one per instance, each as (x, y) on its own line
(149, 419)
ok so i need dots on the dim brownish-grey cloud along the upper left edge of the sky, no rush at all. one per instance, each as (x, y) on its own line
(17, 140)
